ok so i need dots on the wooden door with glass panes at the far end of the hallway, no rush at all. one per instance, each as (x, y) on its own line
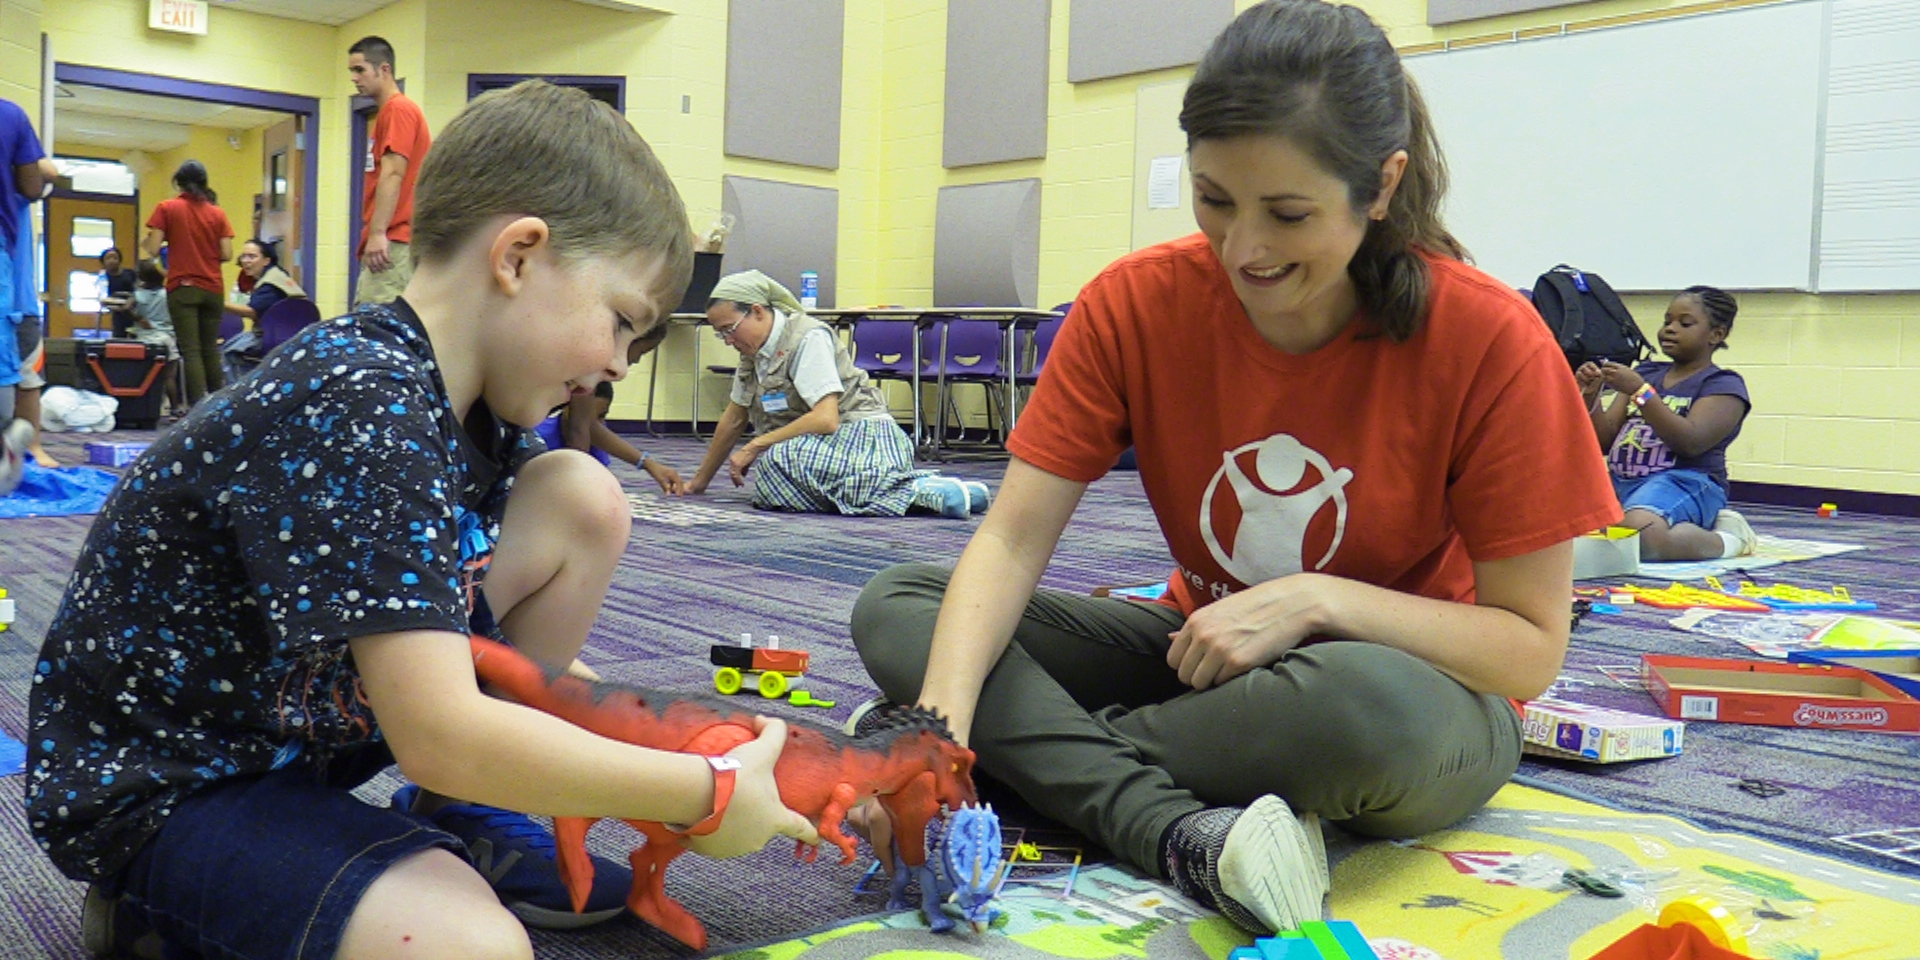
(78, 229)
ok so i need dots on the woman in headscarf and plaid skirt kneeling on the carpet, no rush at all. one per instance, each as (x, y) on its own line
(823, 433)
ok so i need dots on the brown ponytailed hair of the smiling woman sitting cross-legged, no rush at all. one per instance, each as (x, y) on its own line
(1326, 80)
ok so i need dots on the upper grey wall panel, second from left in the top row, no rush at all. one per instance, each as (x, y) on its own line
(996, 82)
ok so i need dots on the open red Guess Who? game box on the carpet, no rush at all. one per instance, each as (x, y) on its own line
(1779, 694)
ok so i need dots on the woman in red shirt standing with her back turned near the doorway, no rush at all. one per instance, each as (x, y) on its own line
(199, 239)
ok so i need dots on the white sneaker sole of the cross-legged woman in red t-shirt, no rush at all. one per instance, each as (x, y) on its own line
(1276, 865)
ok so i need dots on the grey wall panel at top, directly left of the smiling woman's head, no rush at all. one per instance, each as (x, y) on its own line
(1120, 37)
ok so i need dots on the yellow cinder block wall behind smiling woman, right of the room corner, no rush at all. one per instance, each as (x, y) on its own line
(1836, 379)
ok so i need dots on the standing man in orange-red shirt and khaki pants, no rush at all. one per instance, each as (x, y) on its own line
(396, 147)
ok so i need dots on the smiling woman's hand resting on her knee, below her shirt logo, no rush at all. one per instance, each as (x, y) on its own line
(1251, 629)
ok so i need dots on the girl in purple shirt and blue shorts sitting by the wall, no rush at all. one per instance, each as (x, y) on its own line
(1668, 433)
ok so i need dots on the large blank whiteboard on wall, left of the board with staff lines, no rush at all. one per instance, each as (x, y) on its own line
(1658, 155)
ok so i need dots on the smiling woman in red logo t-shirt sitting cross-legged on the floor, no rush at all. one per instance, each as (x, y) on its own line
(1368, 462)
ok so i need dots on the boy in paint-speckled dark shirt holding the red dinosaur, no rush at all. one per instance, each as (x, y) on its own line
(285, 598)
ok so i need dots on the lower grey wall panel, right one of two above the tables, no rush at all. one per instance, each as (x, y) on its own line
(988, 245)
